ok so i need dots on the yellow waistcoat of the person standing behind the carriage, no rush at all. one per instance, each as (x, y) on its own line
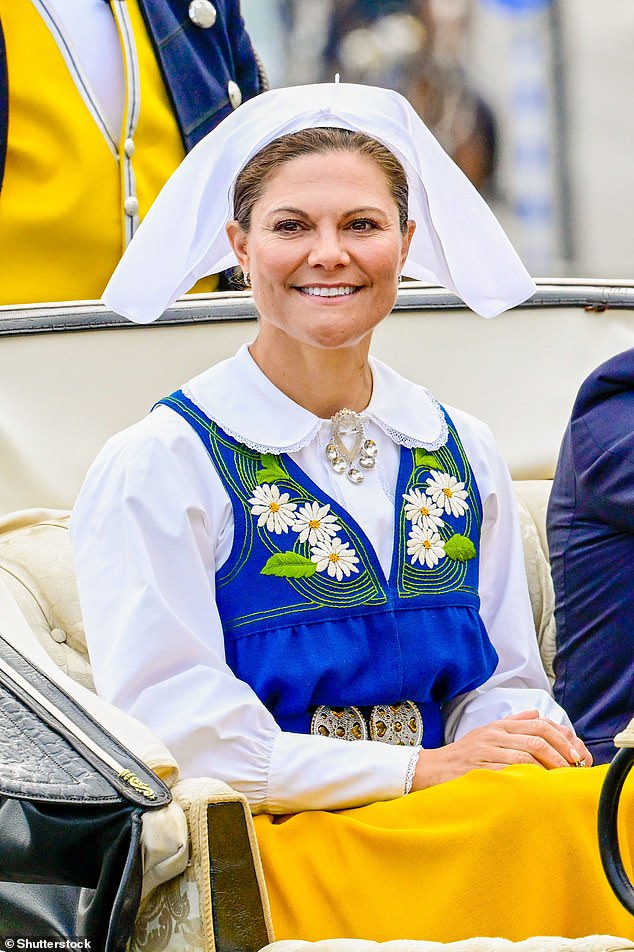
(61, 211)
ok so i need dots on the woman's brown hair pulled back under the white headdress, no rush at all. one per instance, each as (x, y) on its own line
(252, 178)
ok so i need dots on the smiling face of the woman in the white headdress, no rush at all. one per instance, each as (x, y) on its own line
(324, 250)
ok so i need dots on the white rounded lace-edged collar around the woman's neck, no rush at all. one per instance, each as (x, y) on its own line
(238, 396)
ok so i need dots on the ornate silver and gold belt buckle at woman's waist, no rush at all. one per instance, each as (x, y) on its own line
(400, 724)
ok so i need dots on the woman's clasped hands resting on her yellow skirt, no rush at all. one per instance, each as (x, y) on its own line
(524, 738)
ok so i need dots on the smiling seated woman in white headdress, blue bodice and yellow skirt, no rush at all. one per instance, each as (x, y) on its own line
(301, 554)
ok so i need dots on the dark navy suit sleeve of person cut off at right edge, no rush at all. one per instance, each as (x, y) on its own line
(591, 540)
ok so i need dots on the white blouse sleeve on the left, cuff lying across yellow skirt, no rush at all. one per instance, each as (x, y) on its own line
(151, 524)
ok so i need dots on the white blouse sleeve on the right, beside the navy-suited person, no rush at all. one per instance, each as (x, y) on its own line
(519, 682)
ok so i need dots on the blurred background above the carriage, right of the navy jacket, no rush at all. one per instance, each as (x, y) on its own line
(532, 98)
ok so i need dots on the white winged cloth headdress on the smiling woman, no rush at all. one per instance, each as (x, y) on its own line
(458, 243)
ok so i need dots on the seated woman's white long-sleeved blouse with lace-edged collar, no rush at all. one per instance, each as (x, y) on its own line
(153, 524)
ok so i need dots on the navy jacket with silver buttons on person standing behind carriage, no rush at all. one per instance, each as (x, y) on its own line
(197, 65)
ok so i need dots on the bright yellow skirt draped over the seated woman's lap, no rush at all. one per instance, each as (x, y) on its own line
(509, 853)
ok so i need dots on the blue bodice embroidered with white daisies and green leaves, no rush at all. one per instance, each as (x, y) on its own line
(302, 633)
